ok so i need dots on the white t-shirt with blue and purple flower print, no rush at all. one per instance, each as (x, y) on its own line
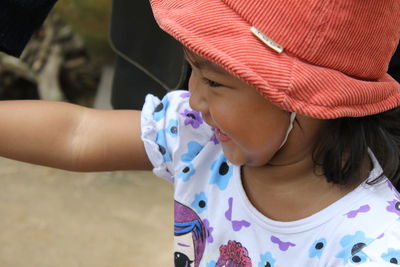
(216, 225)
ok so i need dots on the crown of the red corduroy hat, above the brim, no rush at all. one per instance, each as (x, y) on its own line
(356, 37)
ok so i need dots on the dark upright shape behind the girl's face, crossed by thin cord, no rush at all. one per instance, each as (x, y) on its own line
(148, 59)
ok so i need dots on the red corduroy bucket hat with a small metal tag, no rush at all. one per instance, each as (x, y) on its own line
(324, 59)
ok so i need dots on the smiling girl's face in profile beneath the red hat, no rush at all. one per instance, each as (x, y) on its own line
(249, 128)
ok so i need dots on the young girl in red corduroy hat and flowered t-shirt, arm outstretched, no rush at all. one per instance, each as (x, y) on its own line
(286, 150)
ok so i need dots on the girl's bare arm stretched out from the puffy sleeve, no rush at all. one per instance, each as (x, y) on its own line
(71, 137)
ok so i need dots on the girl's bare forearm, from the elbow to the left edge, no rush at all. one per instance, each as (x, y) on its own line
(39, 132)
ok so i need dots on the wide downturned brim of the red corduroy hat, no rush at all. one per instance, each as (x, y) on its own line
(216, 32)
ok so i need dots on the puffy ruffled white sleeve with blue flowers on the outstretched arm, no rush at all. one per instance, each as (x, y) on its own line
(168, 126)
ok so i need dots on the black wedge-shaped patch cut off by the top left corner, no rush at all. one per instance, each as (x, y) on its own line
(18, 21)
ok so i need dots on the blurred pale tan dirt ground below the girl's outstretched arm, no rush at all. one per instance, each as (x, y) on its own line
(54, 218)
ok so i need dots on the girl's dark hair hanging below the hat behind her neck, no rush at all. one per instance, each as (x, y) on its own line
(346, 142)
